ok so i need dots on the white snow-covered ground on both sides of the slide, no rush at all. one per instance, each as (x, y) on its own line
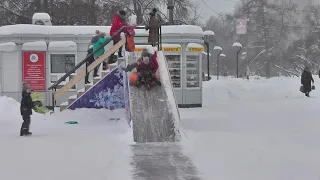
(246, 130)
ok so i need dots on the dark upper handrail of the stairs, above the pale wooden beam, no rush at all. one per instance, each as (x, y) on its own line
(53, 86)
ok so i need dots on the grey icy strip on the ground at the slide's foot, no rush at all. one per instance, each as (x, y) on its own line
(159, 161)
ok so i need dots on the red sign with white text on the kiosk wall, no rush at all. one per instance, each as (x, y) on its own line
(34, 69)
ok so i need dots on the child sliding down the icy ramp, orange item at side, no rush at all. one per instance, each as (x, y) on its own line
(147, 67)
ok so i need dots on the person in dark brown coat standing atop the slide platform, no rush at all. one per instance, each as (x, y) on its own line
(153, 26)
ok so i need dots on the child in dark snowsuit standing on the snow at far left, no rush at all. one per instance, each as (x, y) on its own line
(26, 107)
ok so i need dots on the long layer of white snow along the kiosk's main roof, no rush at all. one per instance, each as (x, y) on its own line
(30, 29)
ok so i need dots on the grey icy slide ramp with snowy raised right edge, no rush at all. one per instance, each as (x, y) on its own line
(154, 113)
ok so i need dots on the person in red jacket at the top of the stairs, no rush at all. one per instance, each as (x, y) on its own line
(119, 20)
